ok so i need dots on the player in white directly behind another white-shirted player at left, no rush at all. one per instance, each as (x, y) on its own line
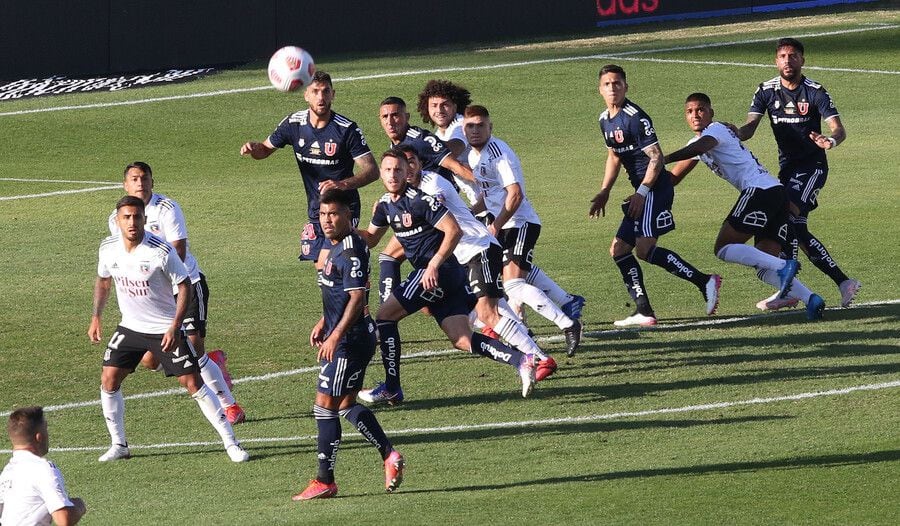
(166, 220)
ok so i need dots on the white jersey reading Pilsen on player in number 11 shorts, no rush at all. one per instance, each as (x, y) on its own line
(144, 280)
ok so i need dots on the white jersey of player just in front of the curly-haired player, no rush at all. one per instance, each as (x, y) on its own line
(495, 168)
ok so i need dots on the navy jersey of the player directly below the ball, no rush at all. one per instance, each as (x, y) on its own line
(322, 153)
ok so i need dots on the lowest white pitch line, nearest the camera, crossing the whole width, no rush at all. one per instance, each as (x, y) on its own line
(528, 423)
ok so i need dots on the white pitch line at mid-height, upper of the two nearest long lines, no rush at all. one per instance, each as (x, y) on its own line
(444, 352)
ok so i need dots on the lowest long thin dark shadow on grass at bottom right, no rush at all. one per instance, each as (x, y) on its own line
(821, 461)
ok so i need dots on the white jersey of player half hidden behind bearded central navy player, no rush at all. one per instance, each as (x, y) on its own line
(476, 238)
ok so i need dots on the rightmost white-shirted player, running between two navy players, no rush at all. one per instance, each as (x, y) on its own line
(761, 210)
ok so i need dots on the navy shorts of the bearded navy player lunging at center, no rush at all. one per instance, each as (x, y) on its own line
(451, 297)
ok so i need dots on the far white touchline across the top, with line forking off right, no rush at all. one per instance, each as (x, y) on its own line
(623, 56)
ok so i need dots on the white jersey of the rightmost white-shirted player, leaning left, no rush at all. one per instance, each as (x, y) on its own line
(731, 161)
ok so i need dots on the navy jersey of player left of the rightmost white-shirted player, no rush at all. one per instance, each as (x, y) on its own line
(627, 134)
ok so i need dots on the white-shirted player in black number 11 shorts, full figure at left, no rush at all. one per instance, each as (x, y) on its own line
(144, 269)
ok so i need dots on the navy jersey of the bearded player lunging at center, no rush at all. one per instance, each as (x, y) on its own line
(413, 217)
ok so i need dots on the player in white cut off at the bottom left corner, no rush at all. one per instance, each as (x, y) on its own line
(32, 490)
